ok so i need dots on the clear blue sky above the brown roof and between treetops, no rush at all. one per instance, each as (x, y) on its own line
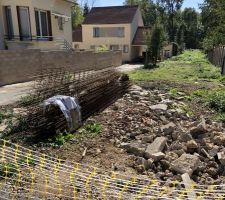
(187, 3)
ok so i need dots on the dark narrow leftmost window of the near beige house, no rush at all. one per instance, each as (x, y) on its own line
(8, 22)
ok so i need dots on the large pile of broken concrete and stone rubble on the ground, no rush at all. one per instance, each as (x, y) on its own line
(163, 141)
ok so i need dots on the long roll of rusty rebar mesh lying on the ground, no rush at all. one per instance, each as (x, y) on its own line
(95, 90)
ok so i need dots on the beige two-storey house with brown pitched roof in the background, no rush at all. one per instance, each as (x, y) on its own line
(114, 28)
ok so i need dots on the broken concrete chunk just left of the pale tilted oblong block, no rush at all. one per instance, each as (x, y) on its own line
(135, 148)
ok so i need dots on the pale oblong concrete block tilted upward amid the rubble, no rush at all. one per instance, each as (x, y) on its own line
(156, 147)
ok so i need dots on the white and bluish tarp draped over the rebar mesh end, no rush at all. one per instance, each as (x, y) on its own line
(70, 108)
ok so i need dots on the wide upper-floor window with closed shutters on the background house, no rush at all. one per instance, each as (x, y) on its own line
(108, 32)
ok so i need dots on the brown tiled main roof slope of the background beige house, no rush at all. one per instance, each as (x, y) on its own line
(111, 15)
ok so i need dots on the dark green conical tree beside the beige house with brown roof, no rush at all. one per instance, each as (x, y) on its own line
(155, 42)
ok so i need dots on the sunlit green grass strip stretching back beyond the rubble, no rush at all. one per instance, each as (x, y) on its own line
(192, 65)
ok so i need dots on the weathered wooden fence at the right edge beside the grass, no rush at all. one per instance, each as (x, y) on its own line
(217, 57)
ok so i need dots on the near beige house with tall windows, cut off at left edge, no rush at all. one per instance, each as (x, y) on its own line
(41, 24)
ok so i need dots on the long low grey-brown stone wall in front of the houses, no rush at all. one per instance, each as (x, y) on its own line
(24, 65)
